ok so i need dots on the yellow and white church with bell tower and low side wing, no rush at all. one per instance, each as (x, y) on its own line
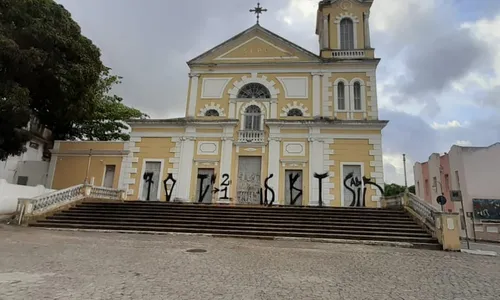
(266, 122)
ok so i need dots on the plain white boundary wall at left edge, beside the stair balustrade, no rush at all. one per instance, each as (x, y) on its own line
(9, 194)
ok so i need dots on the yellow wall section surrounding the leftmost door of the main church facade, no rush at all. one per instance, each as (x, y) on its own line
(152, 148)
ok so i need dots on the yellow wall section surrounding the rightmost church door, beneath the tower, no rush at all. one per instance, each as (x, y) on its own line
(351, 150)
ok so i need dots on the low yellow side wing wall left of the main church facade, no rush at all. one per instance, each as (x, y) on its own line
(71, 169)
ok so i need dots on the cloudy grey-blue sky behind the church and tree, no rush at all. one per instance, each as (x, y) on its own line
(438, 81)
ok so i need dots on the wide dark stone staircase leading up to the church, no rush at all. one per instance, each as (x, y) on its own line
(368, 224)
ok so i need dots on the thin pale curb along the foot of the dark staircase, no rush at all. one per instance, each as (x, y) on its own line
(275, 238)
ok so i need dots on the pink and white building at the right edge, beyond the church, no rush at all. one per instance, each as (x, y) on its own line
(471, 170)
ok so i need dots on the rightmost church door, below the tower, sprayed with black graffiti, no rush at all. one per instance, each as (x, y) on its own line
(352, 185)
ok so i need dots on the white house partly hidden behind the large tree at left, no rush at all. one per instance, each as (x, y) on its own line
(31, 167)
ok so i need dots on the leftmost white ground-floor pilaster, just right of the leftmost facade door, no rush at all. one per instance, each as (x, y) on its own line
(185, 168)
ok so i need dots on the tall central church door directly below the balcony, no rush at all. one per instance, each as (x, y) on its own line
(249, 183)
